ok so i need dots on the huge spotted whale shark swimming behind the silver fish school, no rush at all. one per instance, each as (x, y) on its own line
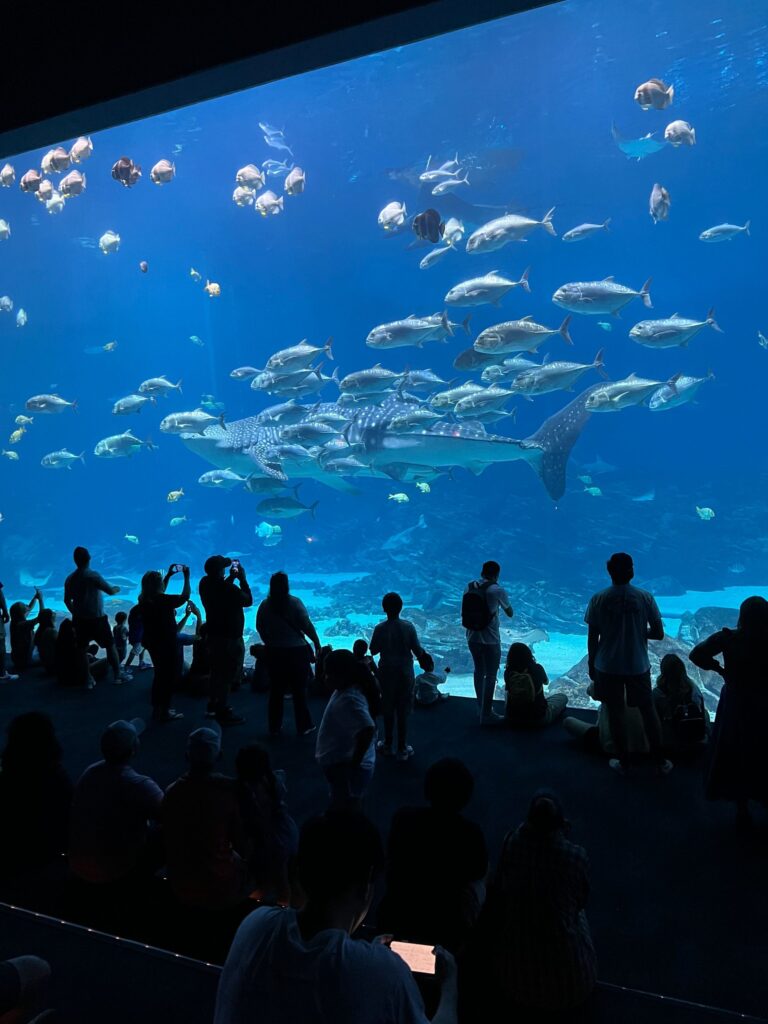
(248, 446)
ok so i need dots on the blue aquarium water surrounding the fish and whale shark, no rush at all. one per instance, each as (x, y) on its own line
(533, 97)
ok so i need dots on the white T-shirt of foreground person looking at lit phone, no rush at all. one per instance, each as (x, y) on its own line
(275, 976)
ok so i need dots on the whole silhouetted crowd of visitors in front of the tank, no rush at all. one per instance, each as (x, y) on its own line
(477, 932)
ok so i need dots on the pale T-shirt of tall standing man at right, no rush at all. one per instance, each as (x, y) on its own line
(622, 615)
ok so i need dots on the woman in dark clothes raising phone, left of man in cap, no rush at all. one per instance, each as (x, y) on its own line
(159, 618)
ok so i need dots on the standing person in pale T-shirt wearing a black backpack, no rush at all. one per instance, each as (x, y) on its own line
(481, 605)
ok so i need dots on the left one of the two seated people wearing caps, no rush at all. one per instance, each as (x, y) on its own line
(112, 808)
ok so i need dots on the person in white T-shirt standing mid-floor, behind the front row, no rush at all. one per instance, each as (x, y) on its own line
(347, 748)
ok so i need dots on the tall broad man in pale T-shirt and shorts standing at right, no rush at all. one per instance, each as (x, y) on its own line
(622, 620)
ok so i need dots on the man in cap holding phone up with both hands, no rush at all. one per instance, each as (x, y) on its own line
(225, 598)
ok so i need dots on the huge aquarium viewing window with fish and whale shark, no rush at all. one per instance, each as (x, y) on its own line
(494, 294)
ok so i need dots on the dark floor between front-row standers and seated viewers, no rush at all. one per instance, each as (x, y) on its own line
(678, 902)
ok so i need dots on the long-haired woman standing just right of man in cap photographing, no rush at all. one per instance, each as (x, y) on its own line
(284, 625)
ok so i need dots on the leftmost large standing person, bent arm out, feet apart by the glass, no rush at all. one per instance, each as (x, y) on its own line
(84, 590)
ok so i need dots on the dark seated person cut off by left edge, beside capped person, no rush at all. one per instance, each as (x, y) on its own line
(35, 796)
